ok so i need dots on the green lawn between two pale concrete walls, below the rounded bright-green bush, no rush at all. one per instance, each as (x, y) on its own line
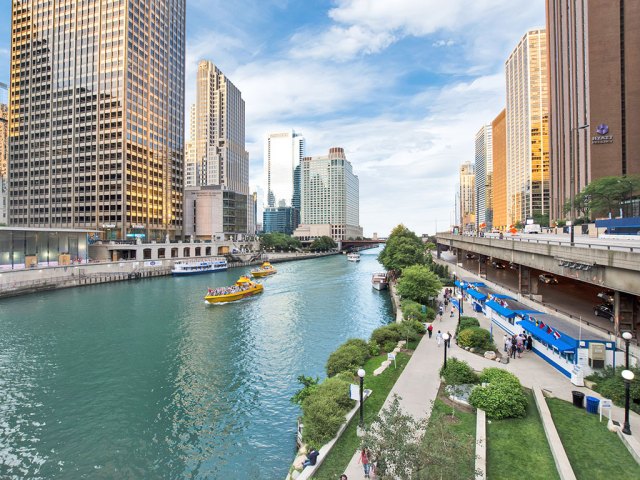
(517, 447)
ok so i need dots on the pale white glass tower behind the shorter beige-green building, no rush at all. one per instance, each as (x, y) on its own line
(283, 152)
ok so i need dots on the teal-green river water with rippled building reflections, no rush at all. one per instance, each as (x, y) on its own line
(142, 379)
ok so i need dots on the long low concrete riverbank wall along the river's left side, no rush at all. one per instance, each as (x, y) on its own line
(34, 280)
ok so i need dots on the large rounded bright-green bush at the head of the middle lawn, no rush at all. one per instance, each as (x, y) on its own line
(502, 399)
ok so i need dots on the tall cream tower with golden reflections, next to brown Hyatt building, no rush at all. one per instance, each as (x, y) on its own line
(527, 128)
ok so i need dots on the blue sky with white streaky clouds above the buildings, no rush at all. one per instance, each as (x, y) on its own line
(401, 85)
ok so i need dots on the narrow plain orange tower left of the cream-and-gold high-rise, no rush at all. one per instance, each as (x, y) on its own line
(499, 181)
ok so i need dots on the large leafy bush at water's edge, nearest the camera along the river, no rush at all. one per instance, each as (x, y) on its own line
(323, 411)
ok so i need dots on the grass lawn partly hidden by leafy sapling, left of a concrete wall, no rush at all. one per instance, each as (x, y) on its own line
(464, 423)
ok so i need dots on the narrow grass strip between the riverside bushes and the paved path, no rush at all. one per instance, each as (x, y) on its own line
(340, 456)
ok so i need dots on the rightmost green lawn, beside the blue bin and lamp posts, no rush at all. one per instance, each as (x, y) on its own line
(594, 451)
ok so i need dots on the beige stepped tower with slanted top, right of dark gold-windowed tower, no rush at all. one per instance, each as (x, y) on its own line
(218, 204)
